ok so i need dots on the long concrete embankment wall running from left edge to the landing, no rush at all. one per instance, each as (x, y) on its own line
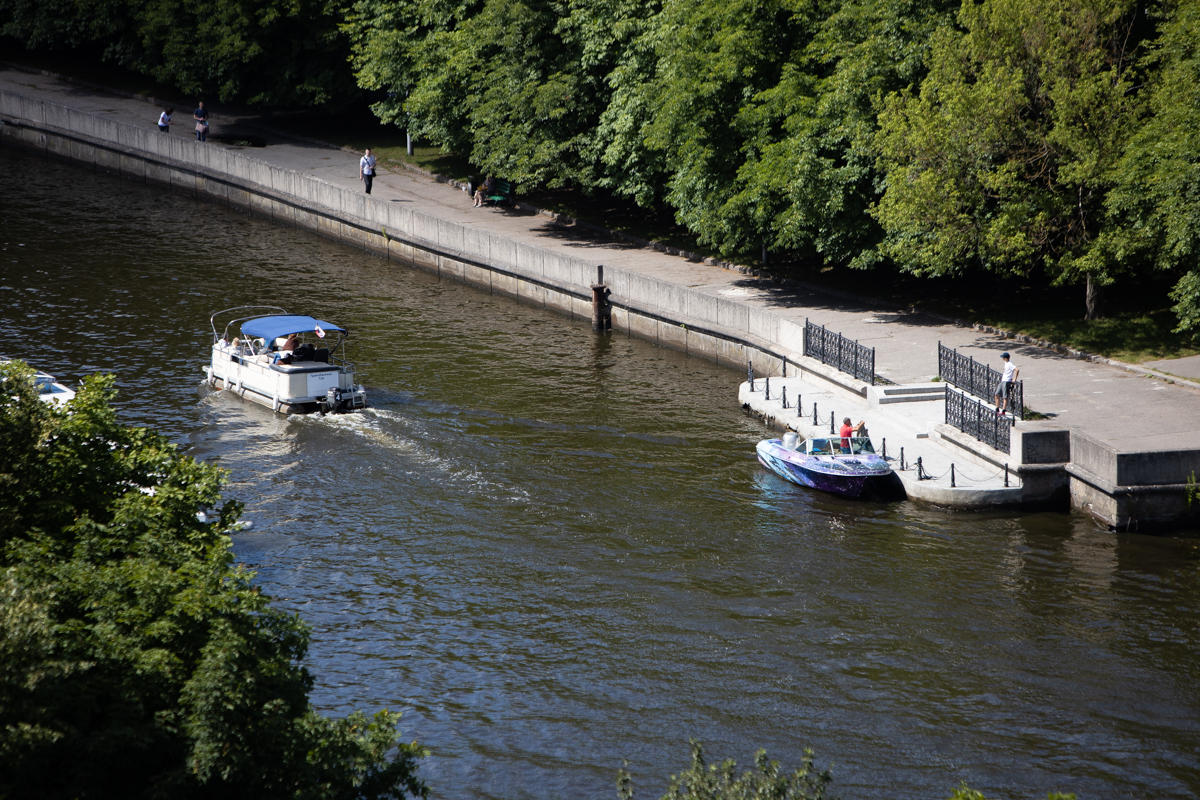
(727, 332)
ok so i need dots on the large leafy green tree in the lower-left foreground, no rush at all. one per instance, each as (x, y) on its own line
(140, 661)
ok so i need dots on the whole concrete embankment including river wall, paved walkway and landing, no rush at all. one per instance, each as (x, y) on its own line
(1120, 442)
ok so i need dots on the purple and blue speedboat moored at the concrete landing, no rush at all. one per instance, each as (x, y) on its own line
(837, 465)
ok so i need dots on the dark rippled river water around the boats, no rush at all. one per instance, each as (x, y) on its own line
(555, 552)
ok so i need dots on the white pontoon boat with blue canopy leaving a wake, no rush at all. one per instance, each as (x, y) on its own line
(292, 364)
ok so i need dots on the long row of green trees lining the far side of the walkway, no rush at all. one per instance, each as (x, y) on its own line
(1051, 139)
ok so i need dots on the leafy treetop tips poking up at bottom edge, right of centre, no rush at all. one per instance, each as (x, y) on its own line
(722, 781)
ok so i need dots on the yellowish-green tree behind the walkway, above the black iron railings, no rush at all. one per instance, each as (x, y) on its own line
(1005, 158)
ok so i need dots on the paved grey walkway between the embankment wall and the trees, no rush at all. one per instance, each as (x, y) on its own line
(1126, 411)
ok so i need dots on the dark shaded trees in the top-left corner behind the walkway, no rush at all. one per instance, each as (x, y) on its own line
(260, 52)
